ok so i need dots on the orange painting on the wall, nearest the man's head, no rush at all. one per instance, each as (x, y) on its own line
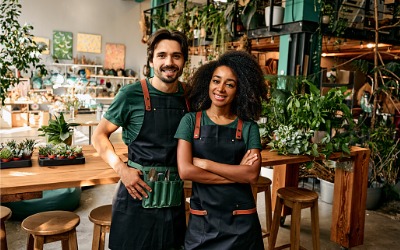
(114, 56)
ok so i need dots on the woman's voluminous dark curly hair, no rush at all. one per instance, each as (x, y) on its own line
(251, 88)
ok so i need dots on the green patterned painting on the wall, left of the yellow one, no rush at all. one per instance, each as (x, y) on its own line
(62, 45)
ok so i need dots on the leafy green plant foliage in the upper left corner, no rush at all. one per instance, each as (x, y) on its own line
(18, 52)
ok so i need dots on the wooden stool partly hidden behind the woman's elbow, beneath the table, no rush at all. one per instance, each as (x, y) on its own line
(264, 185)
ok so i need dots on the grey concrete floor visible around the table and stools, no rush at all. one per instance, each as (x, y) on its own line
(381, 232)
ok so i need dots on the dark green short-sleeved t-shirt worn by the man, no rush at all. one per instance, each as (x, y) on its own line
(127, 109)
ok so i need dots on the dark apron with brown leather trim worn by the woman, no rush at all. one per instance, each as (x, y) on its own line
(217, 227)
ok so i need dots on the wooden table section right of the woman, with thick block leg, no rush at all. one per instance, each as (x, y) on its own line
(350, 193)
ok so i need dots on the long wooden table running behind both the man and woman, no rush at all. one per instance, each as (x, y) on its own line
(348, 211)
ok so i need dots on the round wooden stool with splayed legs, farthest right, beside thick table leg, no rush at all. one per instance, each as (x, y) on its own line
(297, 199)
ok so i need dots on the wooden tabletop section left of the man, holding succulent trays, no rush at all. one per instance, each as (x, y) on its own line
(28, 183)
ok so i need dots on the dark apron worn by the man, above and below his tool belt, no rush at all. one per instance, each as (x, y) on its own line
(135, 227)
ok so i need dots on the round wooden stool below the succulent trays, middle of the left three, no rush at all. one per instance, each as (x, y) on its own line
(46, 227)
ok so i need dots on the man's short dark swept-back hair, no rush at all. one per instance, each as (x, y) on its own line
(165, 34)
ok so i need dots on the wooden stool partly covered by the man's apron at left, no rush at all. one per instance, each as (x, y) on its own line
(101, 217)
